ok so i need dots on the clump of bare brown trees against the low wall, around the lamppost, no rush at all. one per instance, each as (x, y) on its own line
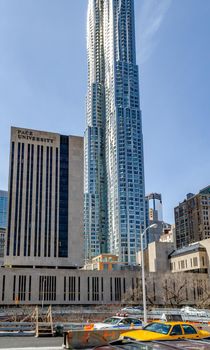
(171, 289)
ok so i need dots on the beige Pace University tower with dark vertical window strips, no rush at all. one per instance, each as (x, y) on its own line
(45, 217)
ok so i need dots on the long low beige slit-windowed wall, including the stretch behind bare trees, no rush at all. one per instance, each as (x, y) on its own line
(27, 286)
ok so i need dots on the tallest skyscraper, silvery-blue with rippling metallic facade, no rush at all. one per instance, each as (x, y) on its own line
(114, 169)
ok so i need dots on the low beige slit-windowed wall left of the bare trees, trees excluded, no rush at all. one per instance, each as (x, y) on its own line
(64, 286)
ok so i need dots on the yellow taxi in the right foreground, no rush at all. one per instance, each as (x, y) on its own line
(166, 331)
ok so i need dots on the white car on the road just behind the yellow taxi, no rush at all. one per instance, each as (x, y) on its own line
(118, 322)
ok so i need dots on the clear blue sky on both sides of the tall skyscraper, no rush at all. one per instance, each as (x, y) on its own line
(43, 83)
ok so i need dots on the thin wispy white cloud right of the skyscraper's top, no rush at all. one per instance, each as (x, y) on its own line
(149, 20)
